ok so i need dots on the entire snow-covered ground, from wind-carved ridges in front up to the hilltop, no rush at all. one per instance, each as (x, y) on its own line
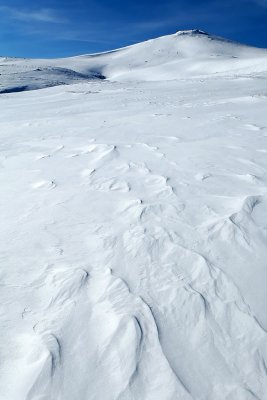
(134, 223)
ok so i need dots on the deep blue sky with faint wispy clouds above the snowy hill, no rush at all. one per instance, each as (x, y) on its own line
(57, 28)
